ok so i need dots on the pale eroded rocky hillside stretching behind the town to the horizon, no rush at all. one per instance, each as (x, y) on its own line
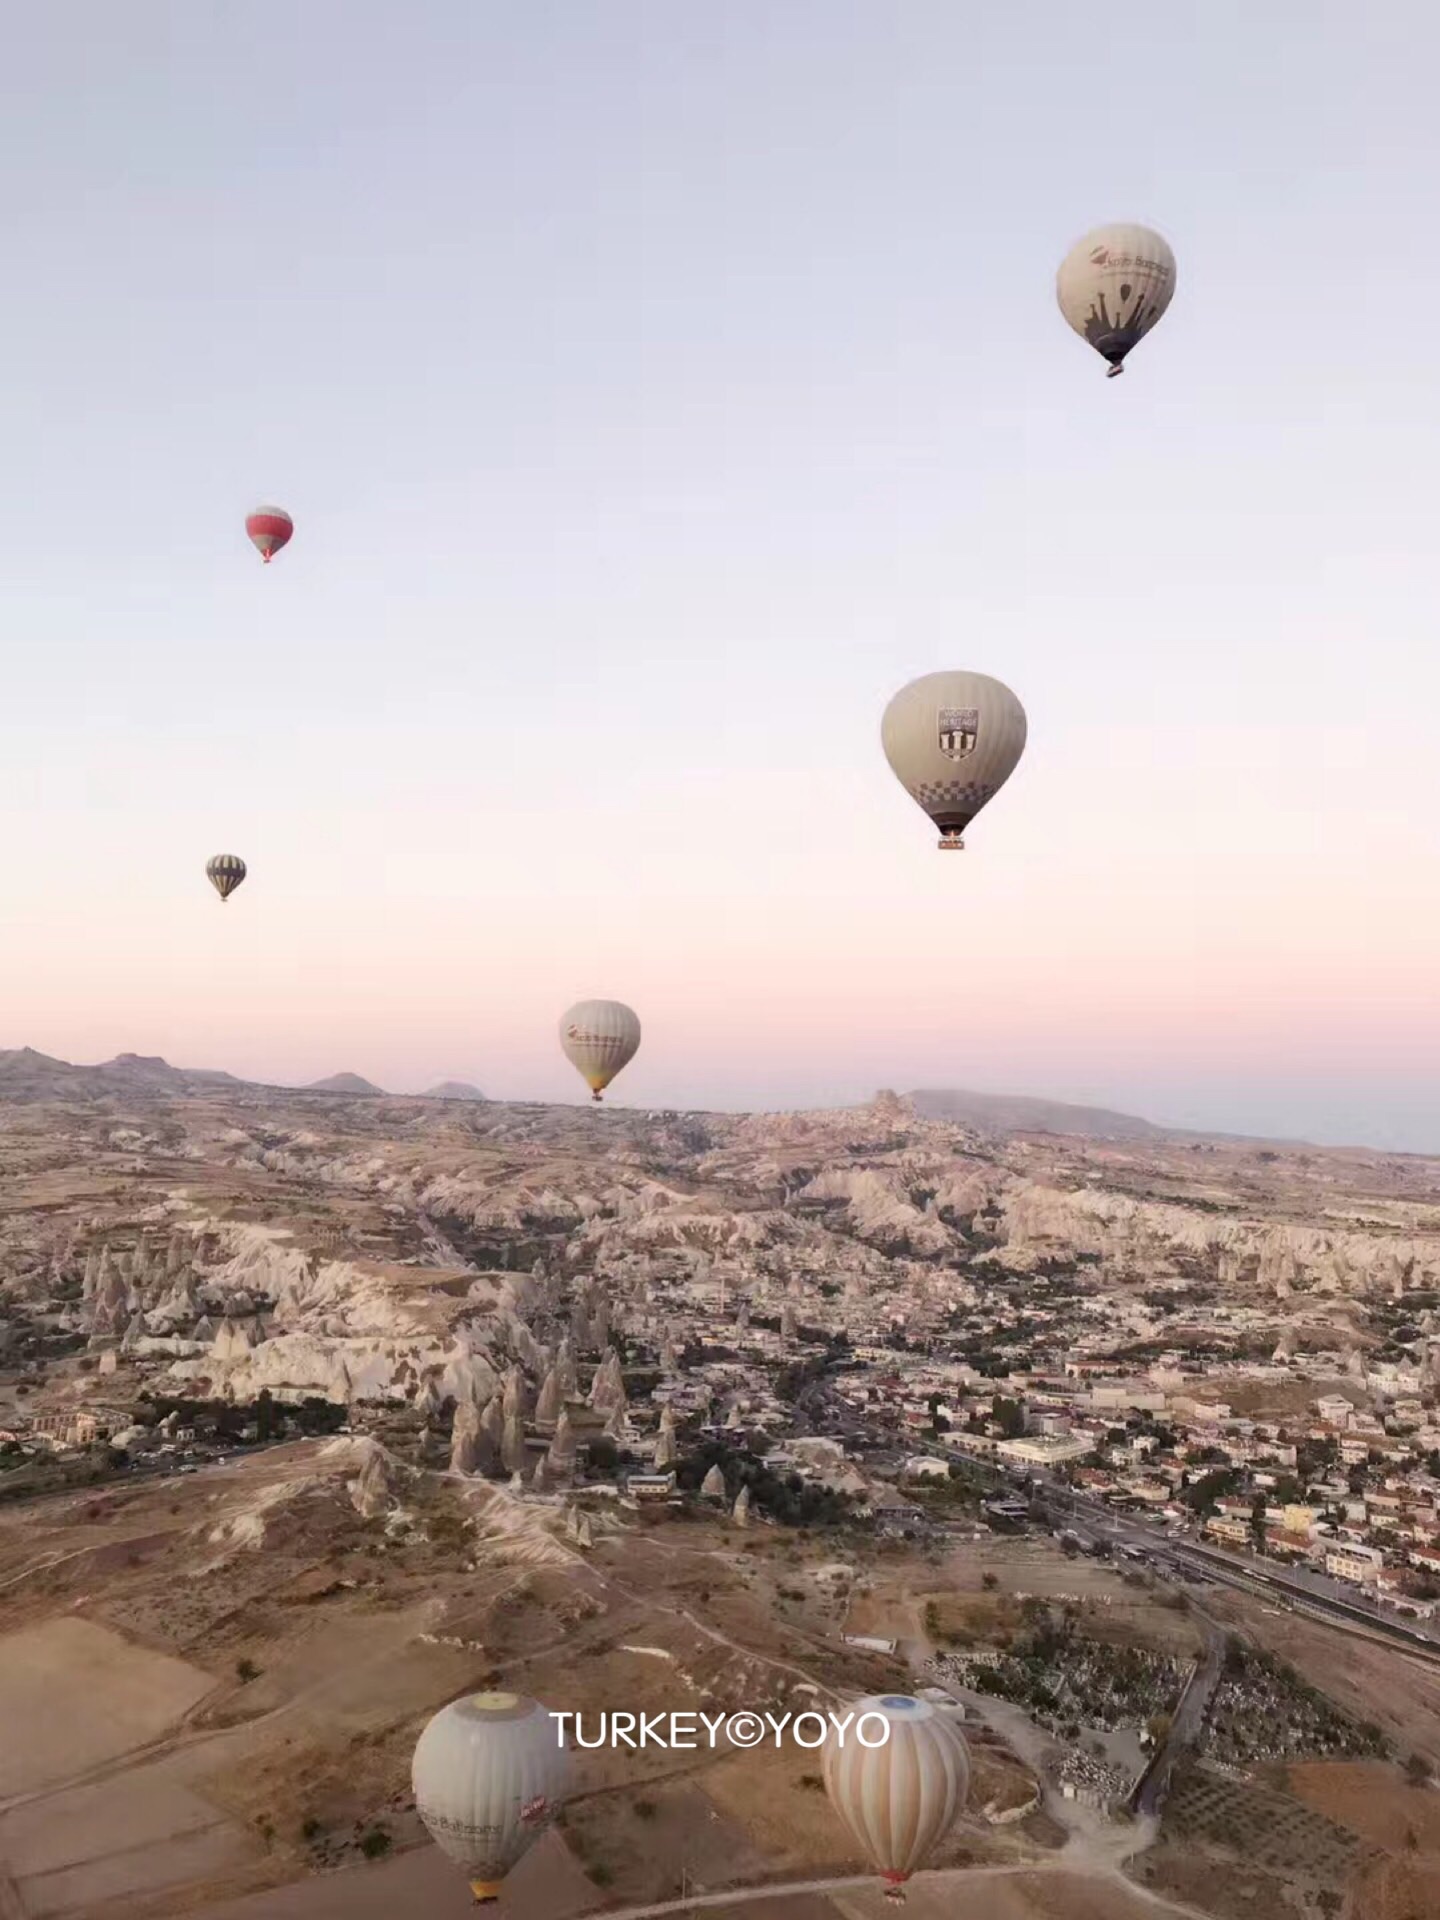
(389, 1247)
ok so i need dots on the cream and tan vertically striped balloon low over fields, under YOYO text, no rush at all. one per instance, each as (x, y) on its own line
(900, 1798)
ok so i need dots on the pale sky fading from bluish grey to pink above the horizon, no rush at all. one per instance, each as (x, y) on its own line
(658, 387)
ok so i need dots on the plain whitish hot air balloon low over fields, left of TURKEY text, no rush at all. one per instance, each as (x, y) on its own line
(489, 1777)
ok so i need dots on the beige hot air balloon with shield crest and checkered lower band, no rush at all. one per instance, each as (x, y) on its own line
(953, 740)
